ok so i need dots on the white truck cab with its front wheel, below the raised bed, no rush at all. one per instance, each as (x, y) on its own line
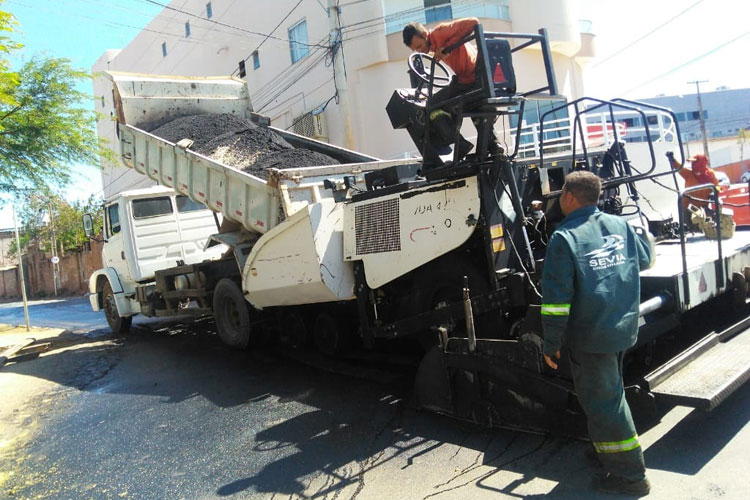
(146, 230)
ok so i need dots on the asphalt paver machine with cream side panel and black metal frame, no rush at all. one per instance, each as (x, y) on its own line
(466, 240)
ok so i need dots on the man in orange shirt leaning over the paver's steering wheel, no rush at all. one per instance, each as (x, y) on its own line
(462, 61)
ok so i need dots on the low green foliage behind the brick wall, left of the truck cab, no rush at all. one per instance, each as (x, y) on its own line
(43, 214)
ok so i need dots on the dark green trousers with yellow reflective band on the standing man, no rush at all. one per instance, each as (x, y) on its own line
(598, 382)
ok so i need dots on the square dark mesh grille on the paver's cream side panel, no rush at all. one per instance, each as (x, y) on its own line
(377, 227)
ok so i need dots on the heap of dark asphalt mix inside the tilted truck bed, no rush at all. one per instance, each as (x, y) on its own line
(239, 143)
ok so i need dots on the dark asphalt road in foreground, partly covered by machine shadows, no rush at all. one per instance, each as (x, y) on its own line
(168, 413)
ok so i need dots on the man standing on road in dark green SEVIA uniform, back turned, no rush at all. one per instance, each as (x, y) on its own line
(591, 295)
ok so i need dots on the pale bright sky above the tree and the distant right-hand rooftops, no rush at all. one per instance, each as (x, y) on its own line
(645, 47)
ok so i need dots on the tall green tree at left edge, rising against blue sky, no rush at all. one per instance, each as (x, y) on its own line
(44, 126)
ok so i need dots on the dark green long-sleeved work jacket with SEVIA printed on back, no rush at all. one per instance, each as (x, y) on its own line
(591, 284)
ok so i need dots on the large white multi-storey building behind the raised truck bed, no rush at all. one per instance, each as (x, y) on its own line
(285, 49)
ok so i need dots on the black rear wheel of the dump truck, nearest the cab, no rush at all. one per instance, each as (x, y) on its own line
(232, 315)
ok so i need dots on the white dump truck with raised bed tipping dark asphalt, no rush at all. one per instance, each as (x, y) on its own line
(281, 239)
